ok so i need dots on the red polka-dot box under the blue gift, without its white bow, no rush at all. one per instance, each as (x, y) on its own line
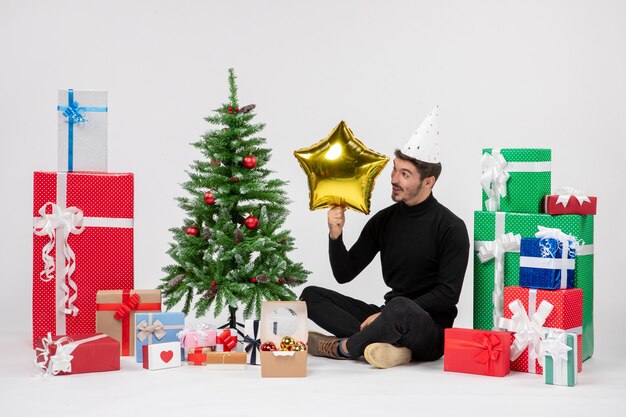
(566, 314)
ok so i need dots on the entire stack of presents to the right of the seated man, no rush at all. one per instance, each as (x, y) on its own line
(533, 274)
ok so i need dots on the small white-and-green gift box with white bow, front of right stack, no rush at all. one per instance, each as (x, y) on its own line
(560, 359)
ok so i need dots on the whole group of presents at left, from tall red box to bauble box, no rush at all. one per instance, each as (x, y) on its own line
(86, 312)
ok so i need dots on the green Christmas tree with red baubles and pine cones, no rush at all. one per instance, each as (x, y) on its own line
(232, 251)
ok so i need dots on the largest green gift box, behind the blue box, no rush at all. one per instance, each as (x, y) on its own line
(489, 230)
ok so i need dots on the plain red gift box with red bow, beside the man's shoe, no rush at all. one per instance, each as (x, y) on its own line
(480, 352)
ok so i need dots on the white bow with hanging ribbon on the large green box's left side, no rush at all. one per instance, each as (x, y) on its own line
(496, 249)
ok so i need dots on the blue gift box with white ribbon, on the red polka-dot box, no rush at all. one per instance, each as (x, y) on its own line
(546, 264)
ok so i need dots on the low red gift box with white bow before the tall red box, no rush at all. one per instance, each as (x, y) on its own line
(77, 354)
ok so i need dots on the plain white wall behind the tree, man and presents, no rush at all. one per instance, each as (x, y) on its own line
(504, 73)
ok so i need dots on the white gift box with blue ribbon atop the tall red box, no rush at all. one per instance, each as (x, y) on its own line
(82, 137)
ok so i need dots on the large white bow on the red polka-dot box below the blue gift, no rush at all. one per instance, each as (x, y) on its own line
(528, 331)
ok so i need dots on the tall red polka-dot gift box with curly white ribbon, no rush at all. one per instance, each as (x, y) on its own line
(82, 243)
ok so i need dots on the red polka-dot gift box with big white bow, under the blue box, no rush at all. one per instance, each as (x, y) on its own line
(530, 313)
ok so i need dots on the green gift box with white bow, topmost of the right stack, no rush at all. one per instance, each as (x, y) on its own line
(515, 180)
